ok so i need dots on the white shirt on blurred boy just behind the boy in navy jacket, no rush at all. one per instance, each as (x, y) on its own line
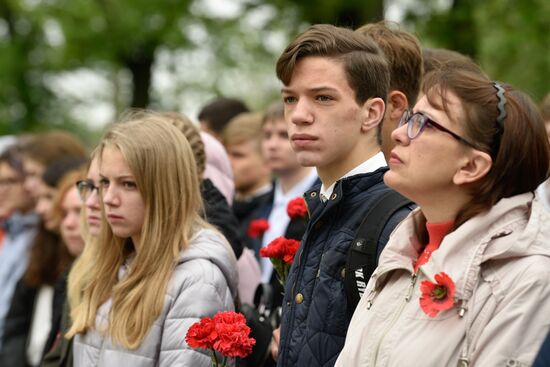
(278, 218)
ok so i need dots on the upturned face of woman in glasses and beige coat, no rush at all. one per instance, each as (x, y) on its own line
(424, 168)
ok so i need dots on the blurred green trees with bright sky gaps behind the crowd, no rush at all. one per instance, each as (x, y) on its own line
(176, 54)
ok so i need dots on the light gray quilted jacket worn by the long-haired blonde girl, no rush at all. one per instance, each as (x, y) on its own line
(203, 283)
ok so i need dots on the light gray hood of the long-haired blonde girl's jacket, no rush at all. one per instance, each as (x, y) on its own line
(209, 244)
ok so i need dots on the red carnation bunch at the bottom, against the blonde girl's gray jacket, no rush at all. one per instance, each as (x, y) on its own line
(226, 333)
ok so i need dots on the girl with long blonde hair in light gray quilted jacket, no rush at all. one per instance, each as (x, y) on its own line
(157, 267)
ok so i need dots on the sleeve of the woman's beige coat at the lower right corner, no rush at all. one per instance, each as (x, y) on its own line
(515, 332)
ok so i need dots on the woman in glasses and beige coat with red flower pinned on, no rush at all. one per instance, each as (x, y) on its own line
(465, 279)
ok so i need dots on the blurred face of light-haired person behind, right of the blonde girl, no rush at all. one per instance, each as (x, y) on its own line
(249, 168)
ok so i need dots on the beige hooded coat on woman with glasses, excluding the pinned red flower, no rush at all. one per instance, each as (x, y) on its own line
(500, 263)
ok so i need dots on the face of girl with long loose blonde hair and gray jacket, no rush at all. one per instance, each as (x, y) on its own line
(124, 206)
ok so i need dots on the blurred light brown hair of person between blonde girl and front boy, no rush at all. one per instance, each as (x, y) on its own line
(243, 128)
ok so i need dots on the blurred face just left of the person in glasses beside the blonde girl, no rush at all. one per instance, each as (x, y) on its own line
(70, 224)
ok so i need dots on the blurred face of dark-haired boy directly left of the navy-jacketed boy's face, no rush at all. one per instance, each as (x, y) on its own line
(276, 147)
